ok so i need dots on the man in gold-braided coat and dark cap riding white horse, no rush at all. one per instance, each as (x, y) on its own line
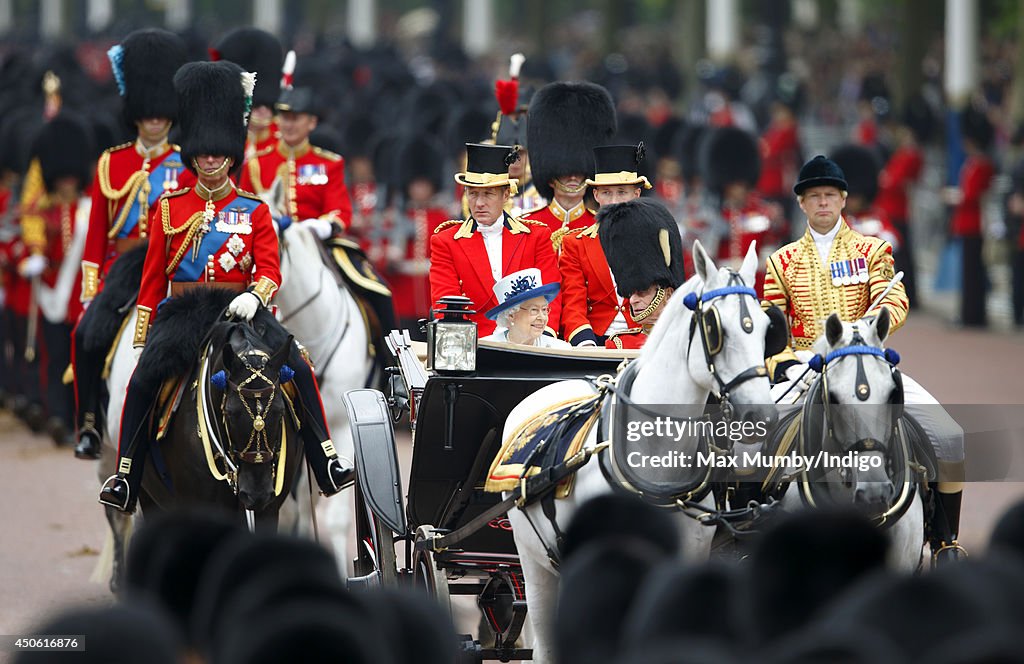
(835, 269)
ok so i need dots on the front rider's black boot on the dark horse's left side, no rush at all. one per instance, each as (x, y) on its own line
(121, 490)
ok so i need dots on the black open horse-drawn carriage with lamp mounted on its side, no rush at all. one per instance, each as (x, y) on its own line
(457, 423)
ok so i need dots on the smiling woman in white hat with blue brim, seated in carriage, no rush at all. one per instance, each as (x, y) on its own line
(524, 309)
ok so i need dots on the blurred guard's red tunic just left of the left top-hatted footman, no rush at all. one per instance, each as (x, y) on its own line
(408, 264)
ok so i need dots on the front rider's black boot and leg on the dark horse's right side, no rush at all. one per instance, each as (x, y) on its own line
(333, 474)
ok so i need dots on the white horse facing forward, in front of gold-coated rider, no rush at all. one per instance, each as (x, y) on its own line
(861, 399)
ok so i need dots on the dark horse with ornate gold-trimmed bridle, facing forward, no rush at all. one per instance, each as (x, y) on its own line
(233, 443)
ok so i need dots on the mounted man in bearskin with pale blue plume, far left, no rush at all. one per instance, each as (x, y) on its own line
(130, 180)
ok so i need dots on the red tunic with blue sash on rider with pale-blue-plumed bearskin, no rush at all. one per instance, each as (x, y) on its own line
(129, 182)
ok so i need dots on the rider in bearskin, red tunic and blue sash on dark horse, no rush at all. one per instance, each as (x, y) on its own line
(220, 237)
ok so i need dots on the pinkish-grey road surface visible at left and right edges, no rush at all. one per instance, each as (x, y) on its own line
(54, 529)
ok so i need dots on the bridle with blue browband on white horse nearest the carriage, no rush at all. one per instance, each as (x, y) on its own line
(708, 321)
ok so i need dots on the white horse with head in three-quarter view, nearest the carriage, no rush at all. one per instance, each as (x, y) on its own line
(678, 367)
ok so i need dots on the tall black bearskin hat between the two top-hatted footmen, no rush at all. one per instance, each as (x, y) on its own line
(567, 122)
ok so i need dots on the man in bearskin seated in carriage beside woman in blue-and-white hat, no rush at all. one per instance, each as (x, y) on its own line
(645, 251)
